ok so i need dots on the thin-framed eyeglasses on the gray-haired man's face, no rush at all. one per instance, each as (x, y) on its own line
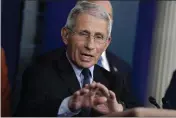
(98, 38)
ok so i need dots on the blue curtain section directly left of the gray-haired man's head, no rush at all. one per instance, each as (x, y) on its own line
(55, 17)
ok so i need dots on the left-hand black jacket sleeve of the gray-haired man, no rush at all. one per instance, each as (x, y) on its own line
(37, 97)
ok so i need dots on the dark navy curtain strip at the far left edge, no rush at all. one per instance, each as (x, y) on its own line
(11, 16)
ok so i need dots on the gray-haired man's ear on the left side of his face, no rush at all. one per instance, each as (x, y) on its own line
(65, 35)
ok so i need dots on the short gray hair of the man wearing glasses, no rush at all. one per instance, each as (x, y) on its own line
(91, 9)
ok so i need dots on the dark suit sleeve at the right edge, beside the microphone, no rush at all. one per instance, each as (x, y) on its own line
(170, 95)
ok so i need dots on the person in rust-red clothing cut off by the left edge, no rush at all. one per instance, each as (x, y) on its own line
(5, 88)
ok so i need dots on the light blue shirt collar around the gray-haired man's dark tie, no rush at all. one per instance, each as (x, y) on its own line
(79, 70)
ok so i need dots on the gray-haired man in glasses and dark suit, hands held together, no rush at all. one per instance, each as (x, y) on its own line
(64, 85)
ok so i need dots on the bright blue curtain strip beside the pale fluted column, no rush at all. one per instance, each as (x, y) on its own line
(142, 50)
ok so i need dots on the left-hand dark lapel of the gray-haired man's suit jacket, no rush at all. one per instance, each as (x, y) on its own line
(67, 73)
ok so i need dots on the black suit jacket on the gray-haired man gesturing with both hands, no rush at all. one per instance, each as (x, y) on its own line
(47, 83)
